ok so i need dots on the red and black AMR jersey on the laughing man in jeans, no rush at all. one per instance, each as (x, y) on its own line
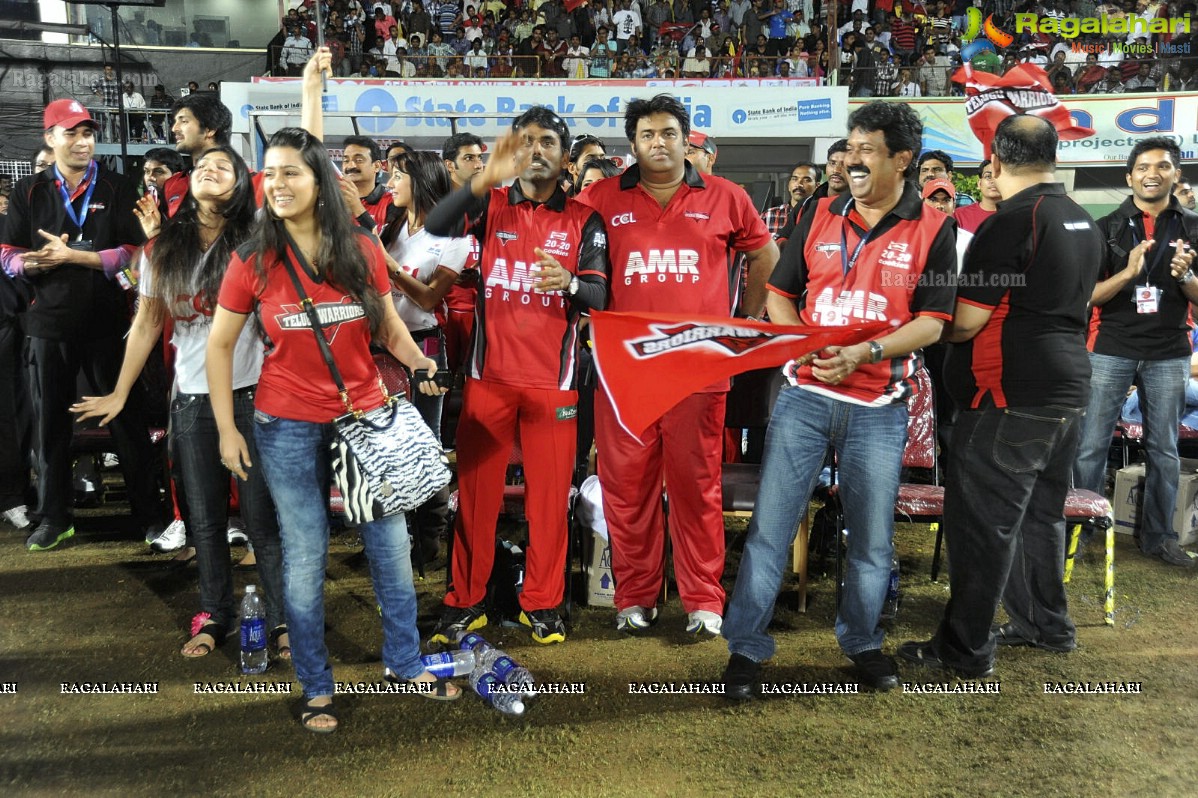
(904, 269)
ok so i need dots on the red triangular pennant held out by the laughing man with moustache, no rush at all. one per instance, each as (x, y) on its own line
(650, 362)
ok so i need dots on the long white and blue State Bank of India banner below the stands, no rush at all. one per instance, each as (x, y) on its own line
(735, 110)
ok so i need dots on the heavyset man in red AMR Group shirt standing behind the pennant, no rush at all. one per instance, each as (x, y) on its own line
(663, 208)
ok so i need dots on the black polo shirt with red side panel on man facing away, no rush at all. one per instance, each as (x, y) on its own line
(1034, 264)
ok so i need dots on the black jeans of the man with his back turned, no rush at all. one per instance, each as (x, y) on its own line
(1008, 476)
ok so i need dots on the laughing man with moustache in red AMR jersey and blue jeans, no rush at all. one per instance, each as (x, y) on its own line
(842, 269)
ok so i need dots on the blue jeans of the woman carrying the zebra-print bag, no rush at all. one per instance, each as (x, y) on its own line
(295, 457)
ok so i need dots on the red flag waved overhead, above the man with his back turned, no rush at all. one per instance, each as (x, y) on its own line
(1025, 89)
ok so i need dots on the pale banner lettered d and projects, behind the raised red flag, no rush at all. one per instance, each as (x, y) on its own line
(1118, 123)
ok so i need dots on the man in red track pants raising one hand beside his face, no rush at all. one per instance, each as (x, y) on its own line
(543, 263)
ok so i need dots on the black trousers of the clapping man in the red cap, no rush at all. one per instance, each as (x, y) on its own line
(55, 366)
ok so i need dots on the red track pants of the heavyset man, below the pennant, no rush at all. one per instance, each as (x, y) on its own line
(685, 449)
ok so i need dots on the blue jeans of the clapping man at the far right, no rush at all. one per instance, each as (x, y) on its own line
(1163, 389)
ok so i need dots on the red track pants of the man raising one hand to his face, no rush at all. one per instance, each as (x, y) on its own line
(493, 418)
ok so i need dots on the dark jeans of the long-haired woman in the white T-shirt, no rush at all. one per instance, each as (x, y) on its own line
(196, 444)
